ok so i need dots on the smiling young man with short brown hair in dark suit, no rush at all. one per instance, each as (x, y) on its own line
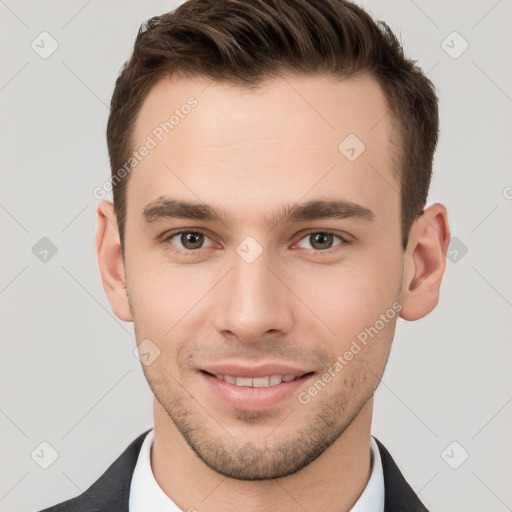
(271, 162)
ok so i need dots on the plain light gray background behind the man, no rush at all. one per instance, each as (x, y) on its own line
(68, 375)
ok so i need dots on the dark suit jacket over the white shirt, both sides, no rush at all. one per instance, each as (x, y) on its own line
(111, 492)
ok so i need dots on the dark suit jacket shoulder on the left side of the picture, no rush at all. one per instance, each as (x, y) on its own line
(111, 491)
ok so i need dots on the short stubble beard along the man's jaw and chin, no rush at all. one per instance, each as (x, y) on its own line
(275, 456)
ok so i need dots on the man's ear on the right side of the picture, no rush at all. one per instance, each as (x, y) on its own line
(425, 262)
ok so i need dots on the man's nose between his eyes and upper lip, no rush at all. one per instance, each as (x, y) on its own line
(254, 301)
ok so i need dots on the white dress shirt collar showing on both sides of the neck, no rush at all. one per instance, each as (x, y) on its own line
(147, 496)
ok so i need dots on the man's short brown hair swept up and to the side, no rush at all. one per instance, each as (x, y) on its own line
(243, 42)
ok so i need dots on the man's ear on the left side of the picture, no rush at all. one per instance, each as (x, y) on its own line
(110, 260)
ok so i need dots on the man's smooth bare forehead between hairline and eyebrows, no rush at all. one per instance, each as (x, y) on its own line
(293, 137)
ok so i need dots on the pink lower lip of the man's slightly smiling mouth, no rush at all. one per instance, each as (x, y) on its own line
(251, 398)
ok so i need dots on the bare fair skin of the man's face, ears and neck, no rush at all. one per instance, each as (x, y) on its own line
(251, 153)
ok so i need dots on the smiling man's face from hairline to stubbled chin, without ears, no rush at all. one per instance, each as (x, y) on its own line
(251, 297)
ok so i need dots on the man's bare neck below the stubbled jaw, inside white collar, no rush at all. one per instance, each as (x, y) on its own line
(331, 483)
